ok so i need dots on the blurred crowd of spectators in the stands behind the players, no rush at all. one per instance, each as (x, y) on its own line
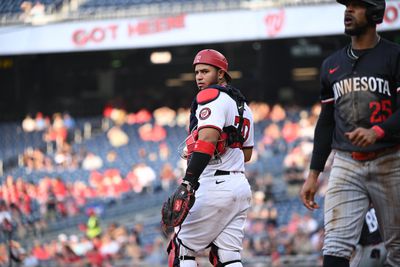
(284, 139)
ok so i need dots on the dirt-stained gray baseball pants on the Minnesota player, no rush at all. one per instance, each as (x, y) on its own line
(352, 185)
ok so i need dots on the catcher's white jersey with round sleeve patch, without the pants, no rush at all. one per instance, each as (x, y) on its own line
(220, 113)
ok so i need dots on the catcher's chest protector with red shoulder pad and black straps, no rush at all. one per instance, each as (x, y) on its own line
(231, 136)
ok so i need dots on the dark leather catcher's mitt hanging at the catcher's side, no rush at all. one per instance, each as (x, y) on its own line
(176, 208)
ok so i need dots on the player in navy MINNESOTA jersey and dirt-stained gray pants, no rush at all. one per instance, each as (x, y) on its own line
(360, 121)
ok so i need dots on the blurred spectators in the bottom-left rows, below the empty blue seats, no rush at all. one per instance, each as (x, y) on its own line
(116, 243)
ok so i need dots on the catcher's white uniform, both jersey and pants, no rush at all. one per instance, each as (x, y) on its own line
(219, 213)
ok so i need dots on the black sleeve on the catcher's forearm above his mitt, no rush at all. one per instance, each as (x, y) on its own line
(198, 162)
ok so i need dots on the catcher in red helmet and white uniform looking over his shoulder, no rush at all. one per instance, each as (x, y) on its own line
(220, 142)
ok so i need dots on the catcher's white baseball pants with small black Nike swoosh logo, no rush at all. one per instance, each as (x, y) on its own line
(218, 215)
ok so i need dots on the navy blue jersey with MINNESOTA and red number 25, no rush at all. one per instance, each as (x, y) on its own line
(363, 90)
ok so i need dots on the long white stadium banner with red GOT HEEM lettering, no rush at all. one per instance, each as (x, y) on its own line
(185, 29)
